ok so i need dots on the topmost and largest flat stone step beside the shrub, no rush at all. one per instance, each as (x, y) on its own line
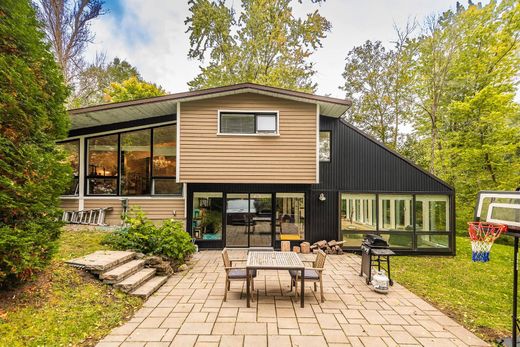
(101, 261)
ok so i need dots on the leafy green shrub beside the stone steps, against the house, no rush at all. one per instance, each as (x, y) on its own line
(140, 234)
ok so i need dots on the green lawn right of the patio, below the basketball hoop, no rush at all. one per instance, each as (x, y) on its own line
(478, 295)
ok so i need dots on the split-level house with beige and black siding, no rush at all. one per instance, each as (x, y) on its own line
(251, 165)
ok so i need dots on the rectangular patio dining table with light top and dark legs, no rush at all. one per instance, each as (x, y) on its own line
(274, 261)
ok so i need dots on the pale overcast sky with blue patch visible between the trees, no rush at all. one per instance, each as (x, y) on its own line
(150, 34)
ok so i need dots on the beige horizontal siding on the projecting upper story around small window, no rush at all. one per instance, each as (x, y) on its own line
(206, 157)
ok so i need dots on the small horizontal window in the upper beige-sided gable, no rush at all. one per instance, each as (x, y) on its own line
(248, 123)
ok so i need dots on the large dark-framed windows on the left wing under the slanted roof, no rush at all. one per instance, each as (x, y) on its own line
(140, 162)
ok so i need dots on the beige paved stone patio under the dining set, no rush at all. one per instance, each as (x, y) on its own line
(189, 311)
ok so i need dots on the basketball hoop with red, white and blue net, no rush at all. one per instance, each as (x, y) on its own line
(483, 235)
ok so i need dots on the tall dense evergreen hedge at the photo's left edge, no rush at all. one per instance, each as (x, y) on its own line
(33, 172)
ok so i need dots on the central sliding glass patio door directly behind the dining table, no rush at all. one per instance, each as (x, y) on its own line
(249, 220)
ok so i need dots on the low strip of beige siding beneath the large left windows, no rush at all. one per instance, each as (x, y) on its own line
(155, 209)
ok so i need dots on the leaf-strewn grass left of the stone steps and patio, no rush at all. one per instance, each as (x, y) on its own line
(64, 306)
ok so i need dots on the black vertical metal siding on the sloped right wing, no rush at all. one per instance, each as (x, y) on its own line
(361, 164)
